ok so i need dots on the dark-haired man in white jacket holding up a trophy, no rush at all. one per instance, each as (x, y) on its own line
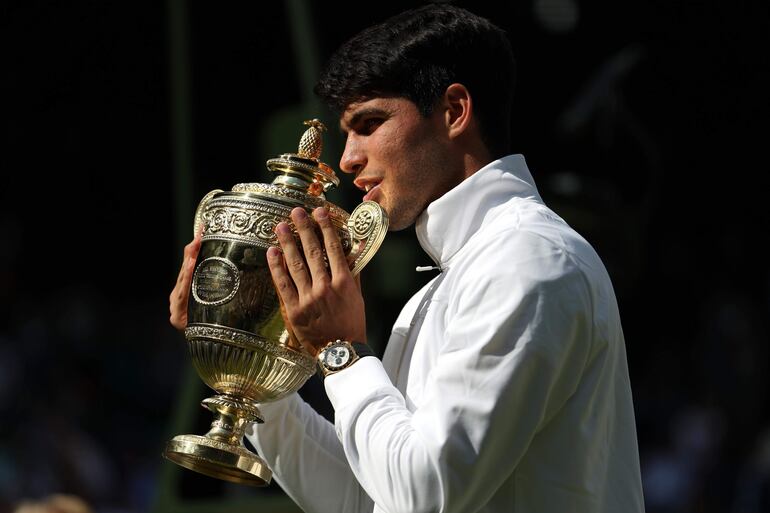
(504, 385)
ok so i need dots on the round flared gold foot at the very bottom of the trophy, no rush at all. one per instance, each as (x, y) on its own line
(217, 459)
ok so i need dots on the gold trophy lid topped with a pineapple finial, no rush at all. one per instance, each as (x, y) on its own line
(304, 170)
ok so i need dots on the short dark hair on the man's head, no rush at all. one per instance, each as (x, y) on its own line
(416, 55)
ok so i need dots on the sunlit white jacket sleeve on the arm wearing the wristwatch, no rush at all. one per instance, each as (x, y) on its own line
(512, 352)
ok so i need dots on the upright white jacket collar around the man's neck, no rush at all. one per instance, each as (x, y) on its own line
(446, 225)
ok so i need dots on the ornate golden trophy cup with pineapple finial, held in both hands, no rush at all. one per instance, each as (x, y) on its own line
(236, 335)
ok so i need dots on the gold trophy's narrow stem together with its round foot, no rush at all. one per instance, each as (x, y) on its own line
(221, 453)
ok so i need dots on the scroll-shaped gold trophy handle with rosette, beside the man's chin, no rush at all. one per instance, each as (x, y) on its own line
(367, 225)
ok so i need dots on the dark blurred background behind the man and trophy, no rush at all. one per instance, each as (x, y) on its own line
(644, 125)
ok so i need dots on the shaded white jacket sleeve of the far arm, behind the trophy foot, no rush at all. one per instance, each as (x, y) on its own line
(306, 458)
